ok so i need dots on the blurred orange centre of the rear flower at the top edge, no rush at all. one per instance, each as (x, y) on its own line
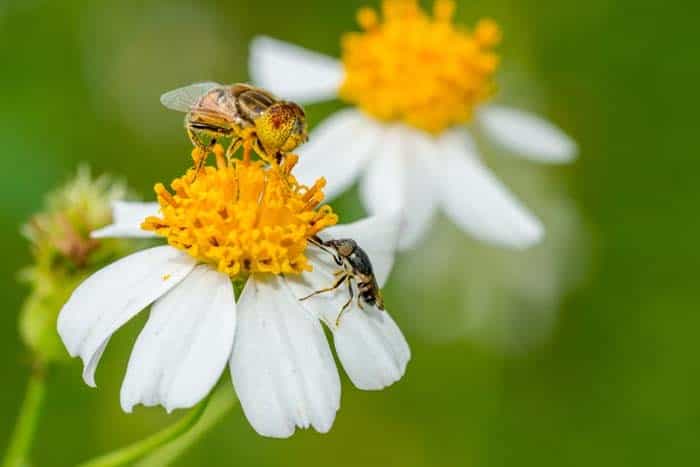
(421, 70)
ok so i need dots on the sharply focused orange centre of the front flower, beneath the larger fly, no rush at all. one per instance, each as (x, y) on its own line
(244, 218)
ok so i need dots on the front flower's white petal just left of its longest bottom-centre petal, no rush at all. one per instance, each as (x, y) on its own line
(185, 345)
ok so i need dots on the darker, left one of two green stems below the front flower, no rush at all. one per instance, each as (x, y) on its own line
(140, 449)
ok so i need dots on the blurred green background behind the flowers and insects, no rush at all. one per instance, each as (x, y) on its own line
(599, 369)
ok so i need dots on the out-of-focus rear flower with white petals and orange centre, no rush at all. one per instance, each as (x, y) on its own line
(414, 82)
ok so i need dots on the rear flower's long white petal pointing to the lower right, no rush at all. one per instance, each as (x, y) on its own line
(478, 202)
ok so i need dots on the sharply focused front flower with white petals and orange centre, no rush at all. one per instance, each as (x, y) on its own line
(233, 223)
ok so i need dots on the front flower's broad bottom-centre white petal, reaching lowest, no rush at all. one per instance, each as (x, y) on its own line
(282, 367)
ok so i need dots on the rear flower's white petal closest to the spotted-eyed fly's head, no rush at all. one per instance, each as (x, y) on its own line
(337, 150)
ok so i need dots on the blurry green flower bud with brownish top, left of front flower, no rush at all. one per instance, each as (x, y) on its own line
(64, 254)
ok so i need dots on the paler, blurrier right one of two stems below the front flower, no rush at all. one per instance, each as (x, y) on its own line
(222, 402)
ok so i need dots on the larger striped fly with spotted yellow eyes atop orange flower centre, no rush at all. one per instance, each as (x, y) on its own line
(251, 117)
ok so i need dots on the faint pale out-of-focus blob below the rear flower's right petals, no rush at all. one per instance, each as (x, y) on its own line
(507, 301)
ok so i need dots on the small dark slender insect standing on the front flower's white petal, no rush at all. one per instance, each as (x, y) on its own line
(356, 271)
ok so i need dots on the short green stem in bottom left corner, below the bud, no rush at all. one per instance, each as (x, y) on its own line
(22, 437)
